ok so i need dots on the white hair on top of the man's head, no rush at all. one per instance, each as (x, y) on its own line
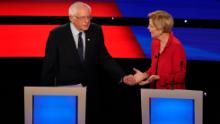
(73, 8)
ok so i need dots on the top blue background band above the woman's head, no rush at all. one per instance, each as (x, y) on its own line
(184, 9)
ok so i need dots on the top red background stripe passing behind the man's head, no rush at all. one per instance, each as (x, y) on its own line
(34, 8)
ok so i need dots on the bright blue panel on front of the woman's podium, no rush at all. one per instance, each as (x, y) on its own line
(171, 111)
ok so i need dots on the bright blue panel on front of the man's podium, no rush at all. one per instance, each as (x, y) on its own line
(54, 109)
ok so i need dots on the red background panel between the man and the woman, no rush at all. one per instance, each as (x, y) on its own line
(121, 42)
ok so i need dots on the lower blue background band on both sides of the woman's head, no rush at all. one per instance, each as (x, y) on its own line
(199, 43)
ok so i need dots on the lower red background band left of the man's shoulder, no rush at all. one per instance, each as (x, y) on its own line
(23, 40)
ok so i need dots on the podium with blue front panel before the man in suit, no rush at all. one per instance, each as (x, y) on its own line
(54, 105)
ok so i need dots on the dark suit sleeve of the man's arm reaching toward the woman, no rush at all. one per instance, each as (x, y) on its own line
(108, 64)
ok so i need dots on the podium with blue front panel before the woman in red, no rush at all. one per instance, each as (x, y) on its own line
(160, 106)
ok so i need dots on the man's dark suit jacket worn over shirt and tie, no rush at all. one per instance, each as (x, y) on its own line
(62, 64)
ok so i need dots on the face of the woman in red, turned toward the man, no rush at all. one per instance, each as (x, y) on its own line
(155, 32)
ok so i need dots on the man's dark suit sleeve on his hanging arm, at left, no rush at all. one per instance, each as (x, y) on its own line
(49, 62)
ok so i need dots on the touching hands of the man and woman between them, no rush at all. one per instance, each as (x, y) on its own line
(140, 78)
